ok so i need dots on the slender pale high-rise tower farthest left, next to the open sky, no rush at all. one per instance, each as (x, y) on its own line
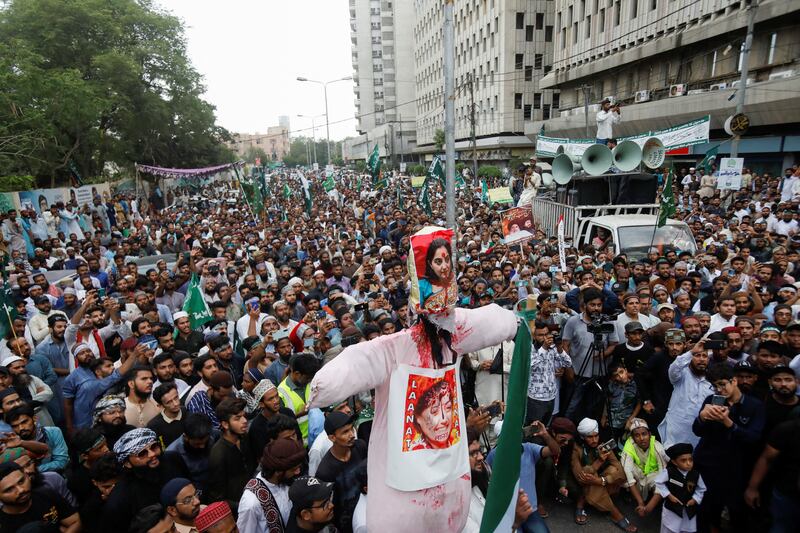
(383, 75)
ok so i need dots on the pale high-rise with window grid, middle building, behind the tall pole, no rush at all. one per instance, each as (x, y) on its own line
(502, 50)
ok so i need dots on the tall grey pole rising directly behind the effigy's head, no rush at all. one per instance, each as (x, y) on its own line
(449, 118)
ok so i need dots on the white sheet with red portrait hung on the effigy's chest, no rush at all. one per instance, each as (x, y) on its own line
(426, 425)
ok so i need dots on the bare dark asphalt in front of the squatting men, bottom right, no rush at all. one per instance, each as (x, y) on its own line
(562, 519)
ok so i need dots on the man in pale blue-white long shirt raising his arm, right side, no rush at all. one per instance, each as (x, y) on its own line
(687, 373)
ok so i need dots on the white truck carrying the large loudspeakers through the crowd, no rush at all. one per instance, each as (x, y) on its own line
(631, 226)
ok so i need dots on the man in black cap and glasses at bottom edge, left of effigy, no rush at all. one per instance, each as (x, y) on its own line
(312, 505)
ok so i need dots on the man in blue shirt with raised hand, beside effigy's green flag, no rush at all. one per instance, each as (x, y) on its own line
(531, 453)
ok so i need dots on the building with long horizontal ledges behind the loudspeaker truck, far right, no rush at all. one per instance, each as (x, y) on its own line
(668, 62)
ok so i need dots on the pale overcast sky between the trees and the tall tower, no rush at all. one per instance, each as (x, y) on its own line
(250, 53)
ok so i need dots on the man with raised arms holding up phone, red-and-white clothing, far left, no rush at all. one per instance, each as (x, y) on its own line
(94, 330)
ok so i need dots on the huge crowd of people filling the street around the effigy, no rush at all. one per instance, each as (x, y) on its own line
(662, 384)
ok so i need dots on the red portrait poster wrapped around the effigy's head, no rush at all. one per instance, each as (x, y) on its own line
(430, 267)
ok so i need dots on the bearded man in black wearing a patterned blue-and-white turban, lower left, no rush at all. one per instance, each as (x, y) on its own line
(139, 453)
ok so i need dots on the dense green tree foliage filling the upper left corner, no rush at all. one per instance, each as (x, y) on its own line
(96, 81)
